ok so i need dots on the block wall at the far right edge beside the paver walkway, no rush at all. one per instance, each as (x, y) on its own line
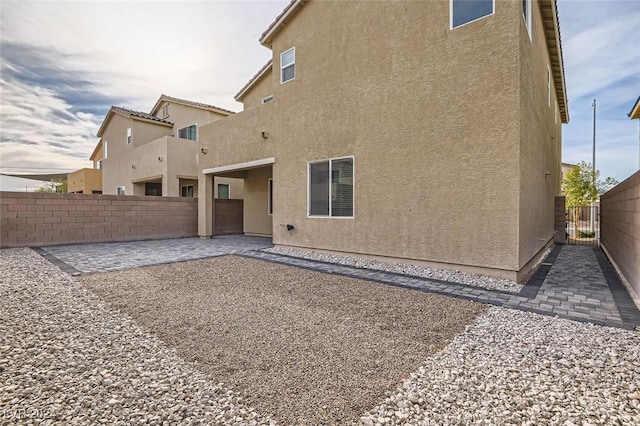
(620, 228)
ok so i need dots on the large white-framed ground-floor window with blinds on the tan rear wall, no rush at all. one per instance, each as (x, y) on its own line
(331, 187)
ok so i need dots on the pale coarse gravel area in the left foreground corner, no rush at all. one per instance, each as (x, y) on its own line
(67, 358)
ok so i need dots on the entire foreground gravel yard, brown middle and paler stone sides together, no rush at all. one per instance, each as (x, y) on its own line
(311, 348)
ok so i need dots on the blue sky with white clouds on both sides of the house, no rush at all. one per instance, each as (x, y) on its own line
(63, 64)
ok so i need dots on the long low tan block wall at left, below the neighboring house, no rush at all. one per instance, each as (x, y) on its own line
(39, 219)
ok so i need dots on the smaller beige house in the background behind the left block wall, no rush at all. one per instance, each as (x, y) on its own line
(156, 153)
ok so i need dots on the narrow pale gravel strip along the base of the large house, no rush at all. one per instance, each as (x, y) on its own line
(404, 268)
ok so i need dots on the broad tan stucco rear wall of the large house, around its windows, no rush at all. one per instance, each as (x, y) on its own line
(434, 127)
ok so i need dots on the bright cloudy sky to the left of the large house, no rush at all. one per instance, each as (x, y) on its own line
(69, 61)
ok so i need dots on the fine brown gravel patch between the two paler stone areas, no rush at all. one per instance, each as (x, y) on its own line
(304, 347)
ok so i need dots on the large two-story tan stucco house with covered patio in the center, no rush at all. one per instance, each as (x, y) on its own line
(426, 131)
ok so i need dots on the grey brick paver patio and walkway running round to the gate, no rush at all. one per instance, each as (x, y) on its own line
(574, 282)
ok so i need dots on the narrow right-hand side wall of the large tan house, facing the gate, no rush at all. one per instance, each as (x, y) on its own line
(540, 146)
